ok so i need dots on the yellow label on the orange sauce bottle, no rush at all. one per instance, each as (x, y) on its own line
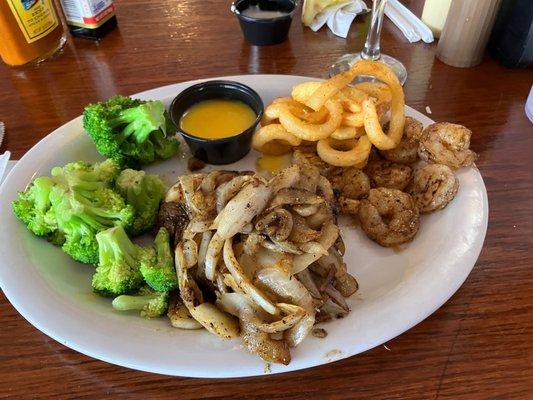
(36, 18)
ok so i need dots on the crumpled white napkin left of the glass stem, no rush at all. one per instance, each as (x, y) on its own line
(339, 17)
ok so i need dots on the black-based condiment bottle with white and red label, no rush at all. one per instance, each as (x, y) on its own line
(90, 19)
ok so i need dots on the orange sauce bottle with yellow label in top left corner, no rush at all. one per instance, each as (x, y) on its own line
(30, 31)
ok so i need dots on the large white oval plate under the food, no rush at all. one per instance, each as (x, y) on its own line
(397, 290)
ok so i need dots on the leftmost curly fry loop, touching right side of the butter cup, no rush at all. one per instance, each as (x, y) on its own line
(274, 139)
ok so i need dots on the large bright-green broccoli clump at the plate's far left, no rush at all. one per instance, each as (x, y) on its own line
(73, 205)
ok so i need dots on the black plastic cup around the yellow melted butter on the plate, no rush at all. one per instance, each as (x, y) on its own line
(217, 151)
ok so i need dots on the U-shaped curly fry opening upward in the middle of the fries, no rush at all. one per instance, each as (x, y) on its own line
(308, 131)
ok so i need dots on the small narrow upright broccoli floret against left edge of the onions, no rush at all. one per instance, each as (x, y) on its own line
(158, 270)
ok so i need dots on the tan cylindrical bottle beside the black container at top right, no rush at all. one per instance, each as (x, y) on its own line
(466, 32)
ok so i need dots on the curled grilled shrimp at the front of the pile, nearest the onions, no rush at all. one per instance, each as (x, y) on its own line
(389, 216)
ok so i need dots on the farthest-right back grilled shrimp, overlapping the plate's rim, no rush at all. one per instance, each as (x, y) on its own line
(448, 144)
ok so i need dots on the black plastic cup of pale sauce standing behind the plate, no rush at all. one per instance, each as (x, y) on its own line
(262, 31)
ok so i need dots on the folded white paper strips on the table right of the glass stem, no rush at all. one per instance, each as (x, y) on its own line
(410, 25)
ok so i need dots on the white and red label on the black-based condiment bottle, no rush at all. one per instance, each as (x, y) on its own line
(88, 13)
